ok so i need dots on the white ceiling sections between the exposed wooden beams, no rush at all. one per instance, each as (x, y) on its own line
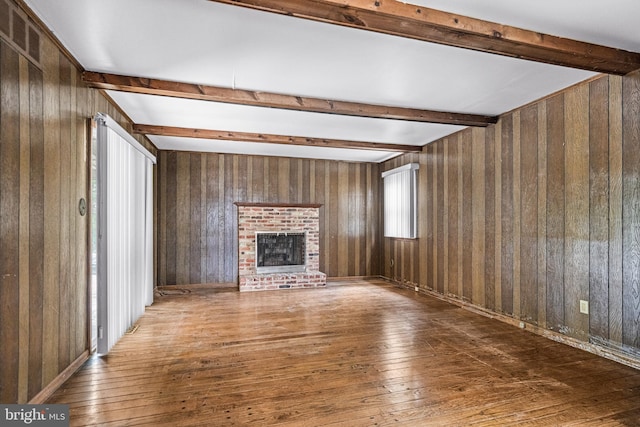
(199, 41)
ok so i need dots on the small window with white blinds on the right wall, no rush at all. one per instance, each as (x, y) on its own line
(400, 201)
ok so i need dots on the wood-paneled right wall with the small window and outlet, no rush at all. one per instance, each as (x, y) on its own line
(532, 215)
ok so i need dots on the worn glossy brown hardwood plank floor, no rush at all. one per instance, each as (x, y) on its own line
(360, 353)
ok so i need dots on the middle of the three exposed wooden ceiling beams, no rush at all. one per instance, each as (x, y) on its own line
(273, 100)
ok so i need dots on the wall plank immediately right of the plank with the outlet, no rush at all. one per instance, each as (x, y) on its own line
(599, 209)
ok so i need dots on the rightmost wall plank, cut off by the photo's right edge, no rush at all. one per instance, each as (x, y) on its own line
(631, 211)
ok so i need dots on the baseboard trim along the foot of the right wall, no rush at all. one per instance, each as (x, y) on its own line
(599, 350)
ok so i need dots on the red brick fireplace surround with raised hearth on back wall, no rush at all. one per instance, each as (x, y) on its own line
(278, 220)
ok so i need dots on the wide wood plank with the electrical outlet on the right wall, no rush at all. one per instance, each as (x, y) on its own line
(576, 278)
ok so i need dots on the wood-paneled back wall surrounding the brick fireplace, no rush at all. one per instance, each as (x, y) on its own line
(197, 232)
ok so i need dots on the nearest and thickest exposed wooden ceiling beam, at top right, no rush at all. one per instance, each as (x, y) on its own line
(421, 23)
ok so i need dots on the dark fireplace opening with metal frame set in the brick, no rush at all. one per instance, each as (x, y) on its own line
(280, 252)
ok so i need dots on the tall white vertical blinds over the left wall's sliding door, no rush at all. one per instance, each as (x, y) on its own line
(125, 241)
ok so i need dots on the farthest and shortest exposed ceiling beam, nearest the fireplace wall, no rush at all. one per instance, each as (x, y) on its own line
(270, 139)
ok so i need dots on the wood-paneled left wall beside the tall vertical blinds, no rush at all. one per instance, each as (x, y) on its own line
(43, 239)
